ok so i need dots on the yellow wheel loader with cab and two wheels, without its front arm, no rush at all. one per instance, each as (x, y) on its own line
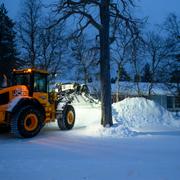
(26, 106)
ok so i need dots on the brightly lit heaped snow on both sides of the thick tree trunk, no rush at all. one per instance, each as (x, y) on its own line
(130, 116)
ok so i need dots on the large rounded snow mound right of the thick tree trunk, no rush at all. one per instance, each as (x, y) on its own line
(140, 112)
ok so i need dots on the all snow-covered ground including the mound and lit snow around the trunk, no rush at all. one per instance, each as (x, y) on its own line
(144, 143)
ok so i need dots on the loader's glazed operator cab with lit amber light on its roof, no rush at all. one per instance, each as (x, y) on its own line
(35, 80)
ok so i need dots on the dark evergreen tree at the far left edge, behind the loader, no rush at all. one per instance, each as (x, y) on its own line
(7, 43)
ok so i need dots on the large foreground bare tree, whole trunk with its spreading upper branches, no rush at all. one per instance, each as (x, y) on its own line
(97, 13)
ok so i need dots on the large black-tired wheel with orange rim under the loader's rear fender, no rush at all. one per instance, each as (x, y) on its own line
(27, 122)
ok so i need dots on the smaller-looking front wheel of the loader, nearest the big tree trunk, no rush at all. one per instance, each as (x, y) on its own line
(66, 118)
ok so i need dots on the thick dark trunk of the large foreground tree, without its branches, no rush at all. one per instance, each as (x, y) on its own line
(106, 118)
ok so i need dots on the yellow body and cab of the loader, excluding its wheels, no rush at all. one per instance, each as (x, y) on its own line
(10, 96)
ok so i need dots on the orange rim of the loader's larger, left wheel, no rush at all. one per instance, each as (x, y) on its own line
(31, 122)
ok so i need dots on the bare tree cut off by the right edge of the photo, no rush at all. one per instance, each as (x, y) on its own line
(171, 28)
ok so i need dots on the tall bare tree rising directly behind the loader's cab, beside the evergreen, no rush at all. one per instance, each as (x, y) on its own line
(28, 30)
